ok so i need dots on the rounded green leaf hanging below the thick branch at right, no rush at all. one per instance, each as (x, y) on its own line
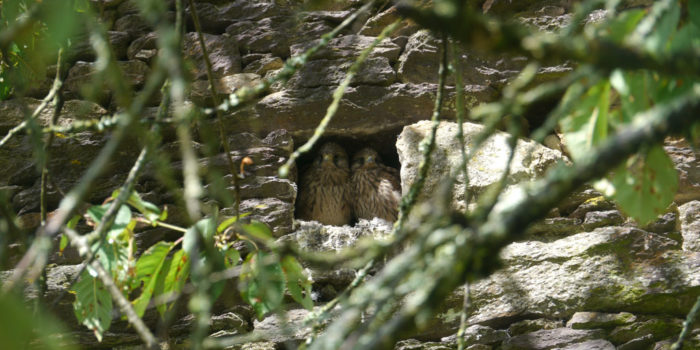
(646, 185)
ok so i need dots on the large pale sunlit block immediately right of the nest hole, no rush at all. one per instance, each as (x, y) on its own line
(530, 161)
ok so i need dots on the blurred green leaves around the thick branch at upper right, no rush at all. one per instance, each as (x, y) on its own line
(644, 186)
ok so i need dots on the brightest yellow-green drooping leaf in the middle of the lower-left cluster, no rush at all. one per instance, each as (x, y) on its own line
(150, 271)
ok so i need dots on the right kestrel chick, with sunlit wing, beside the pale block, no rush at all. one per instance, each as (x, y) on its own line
(376, 187)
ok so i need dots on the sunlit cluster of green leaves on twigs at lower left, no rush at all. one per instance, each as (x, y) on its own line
(162, 270)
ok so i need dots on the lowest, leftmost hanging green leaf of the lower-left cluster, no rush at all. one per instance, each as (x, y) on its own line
(93, 304)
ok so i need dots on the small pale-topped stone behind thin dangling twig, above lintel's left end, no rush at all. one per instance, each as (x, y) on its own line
(200, 92)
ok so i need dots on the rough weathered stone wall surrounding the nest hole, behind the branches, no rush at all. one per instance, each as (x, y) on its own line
(587, 277)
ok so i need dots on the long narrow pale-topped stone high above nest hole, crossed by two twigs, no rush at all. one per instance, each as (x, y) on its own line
(349, 46)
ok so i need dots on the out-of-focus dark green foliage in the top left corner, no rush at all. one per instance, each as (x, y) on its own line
(23, 63)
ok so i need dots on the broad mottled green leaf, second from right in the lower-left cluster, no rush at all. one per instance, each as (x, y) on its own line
(262, 283)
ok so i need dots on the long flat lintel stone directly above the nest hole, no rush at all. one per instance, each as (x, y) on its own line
(365, 110)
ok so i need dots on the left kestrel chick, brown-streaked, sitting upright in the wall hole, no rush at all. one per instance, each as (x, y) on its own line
(323, 188)
